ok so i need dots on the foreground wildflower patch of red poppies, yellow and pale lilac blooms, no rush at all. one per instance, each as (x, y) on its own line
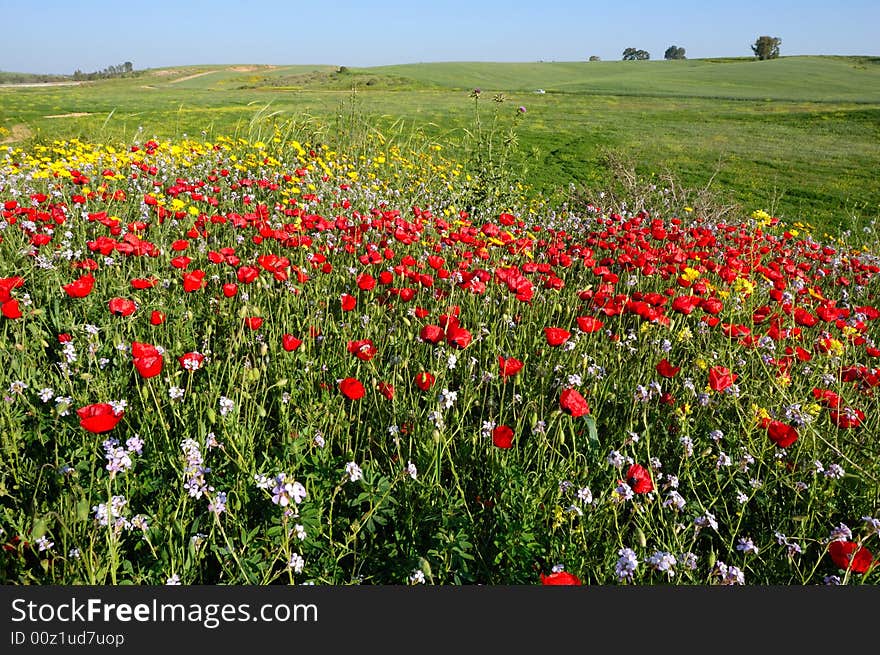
(278, 361)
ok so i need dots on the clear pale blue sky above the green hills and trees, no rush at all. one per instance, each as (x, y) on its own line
(59, 36)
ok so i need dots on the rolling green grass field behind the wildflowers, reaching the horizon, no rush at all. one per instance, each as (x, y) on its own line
(798, 136)
